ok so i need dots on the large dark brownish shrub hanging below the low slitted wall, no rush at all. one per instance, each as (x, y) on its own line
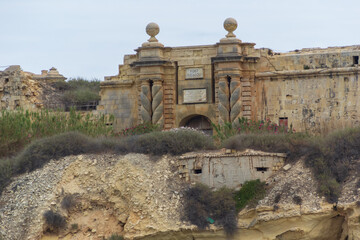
(203, 206)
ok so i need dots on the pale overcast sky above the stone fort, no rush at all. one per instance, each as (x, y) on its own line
(88, 38)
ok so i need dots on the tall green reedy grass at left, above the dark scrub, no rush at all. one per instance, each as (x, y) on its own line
(18, 128)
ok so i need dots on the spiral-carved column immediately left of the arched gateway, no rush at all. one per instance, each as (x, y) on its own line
(157, 103)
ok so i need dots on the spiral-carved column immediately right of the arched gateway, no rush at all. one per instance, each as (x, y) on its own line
(223, 96)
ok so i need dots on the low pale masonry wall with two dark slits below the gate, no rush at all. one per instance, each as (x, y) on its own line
(219, 169)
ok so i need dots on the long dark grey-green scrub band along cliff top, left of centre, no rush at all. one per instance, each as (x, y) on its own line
(40, 151)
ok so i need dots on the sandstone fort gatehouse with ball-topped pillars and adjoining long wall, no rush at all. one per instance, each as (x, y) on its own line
(311, 89)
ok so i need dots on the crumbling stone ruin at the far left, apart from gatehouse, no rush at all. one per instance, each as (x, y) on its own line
(24, 89)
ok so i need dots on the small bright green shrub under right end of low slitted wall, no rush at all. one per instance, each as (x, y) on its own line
(249, 194)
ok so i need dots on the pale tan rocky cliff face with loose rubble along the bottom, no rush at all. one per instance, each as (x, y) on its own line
(141, 198)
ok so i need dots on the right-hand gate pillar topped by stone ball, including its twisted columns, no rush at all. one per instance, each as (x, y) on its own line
(235, 60)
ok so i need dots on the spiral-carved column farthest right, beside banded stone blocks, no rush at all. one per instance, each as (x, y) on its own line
(235, 100)
